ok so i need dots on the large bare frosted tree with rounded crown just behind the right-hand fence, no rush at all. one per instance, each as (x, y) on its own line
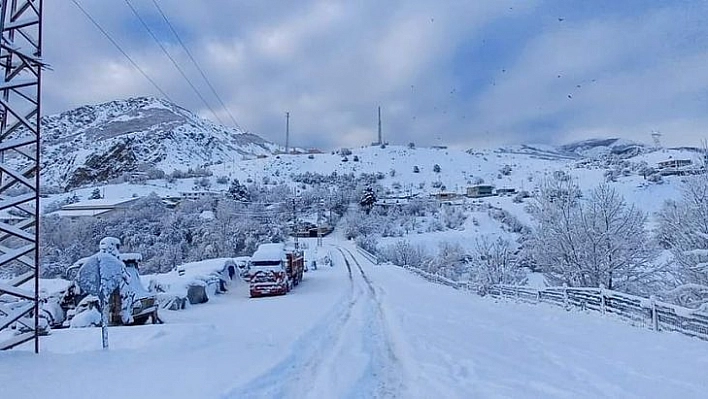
(599, 240)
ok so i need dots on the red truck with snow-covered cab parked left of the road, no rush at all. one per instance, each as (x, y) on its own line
(273, 270)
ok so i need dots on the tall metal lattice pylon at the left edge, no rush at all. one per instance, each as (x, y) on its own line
(20, 60)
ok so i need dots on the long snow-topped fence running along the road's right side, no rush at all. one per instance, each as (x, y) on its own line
(639, 311)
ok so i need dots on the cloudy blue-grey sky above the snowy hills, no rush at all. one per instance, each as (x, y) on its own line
(459, 72)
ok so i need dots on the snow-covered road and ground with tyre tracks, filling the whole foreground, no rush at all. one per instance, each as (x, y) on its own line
(358, 331)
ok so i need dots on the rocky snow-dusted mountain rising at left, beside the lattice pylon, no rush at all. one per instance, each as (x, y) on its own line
(96, 143)
